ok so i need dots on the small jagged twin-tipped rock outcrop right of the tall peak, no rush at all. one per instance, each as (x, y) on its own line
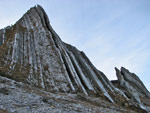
(132, 86)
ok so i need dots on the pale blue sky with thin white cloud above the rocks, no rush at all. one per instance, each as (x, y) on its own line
(112, 33)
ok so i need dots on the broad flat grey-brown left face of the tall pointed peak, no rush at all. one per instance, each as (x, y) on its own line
(29, 52)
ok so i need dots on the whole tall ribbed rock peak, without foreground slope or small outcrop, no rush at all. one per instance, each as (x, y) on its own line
(32, 52)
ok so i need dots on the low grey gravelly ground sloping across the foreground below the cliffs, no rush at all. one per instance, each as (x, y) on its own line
(22, 98)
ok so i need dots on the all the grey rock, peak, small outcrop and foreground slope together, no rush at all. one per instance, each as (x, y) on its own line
(33, 56)
